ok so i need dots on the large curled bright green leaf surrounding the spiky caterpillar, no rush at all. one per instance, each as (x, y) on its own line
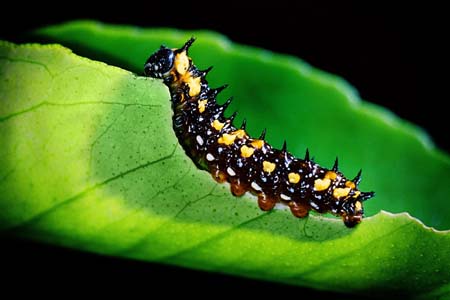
(89, 160)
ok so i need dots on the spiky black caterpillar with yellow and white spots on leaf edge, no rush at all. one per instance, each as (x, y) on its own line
(249, 164)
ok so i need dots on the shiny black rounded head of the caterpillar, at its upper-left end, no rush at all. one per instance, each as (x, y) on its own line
(160, 63)
